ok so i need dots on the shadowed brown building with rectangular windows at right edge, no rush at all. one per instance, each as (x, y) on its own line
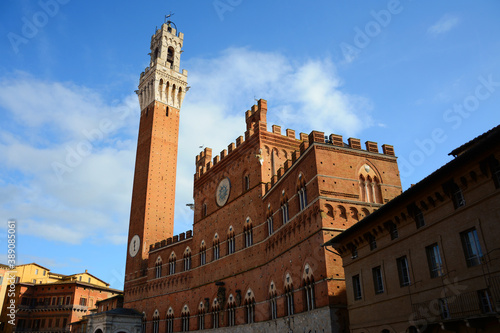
(429, 260)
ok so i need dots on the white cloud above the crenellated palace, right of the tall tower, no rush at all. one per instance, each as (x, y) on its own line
(301, 96)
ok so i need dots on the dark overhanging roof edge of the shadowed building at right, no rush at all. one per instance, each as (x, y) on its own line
(464, 154)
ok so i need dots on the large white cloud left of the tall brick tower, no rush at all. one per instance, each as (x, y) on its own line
(67, 177)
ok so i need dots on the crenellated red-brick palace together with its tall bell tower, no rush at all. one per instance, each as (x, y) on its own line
(262, 208)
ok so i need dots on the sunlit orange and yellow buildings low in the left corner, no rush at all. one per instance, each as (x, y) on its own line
(47, 301)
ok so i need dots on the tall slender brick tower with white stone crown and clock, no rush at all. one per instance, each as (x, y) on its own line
(161, 91)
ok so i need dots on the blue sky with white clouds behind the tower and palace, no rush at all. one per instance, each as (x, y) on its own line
(423, 76)
